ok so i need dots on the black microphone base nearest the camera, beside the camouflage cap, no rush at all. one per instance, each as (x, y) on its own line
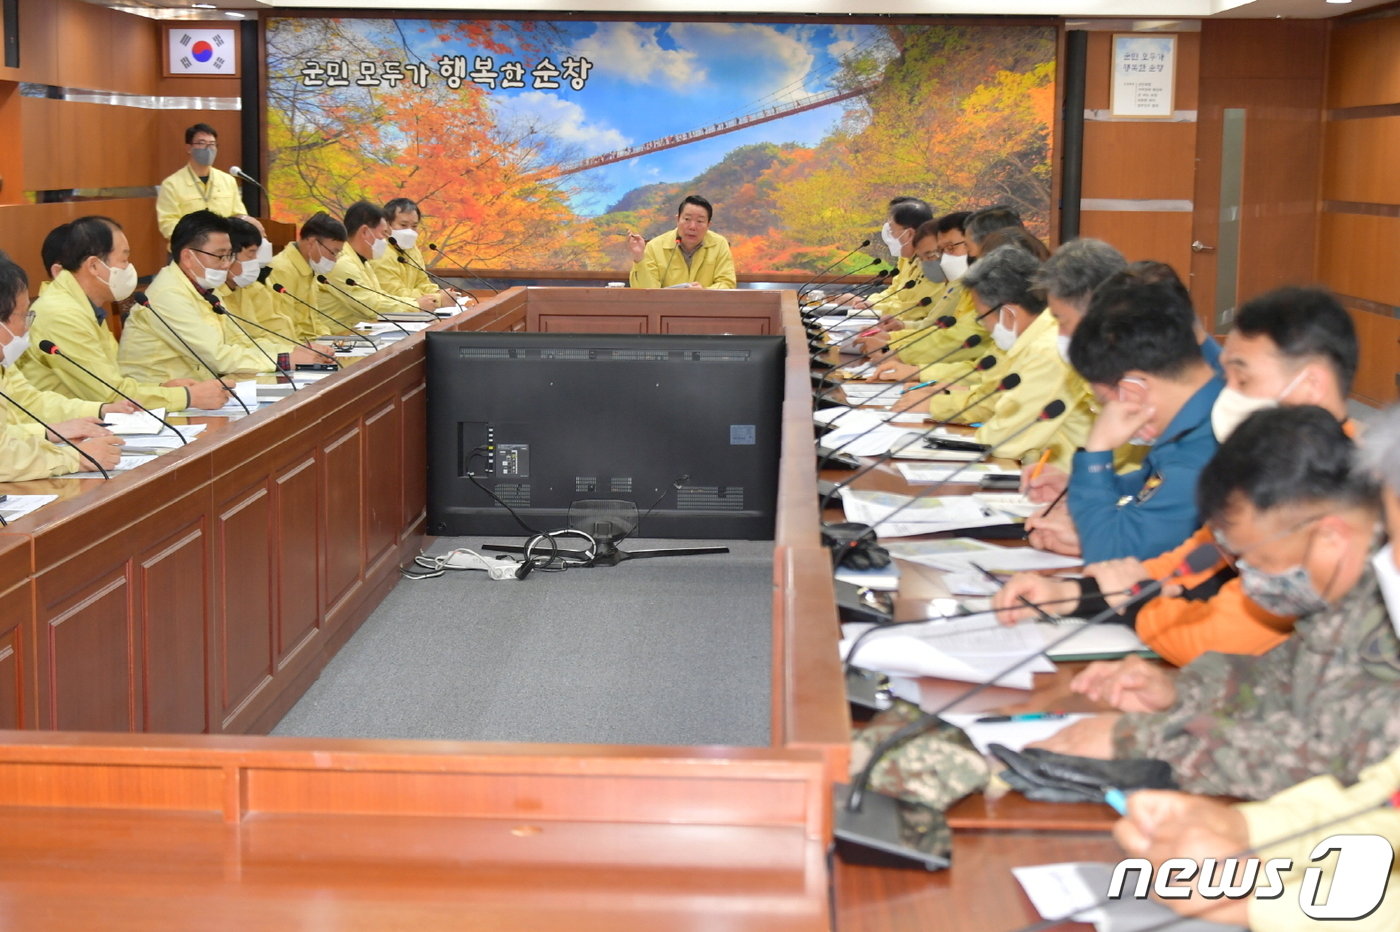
(888, 832)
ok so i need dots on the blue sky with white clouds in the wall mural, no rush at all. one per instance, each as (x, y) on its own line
(691, 73)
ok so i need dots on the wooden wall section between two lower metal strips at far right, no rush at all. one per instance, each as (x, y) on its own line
(1357, 257)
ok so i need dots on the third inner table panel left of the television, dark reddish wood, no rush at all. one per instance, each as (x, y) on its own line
(342, 516)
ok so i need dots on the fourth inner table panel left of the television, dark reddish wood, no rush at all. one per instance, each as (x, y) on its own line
(297, 556)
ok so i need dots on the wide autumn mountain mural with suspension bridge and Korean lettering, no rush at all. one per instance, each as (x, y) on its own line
(538, 145)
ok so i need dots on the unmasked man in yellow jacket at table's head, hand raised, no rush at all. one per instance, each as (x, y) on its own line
(691, 257)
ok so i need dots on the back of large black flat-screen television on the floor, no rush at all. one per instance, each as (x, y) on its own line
(687, 428)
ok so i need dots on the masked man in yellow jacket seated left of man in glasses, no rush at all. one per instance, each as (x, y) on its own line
(94, 269)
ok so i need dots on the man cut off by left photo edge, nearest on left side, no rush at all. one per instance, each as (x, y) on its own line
(26, 454)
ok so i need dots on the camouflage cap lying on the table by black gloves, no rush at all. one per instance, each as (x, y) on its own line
(936, 769)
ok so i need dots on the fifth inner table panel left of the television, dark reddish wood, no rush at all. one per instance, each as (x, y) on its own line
(244, 600)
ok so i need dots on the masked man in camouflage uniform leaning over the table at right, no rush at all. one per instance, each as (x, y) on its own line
(1301, 523)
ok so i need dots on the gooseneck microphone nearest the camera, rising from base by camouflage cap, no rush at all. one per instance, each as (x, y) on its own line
(866, 818)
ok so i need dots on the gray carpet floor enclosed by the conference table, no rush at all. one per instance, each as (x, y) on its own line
(671, 651)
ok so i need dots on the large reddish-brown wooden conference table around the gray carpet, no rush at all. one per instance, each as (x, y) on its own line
(153, 628)
